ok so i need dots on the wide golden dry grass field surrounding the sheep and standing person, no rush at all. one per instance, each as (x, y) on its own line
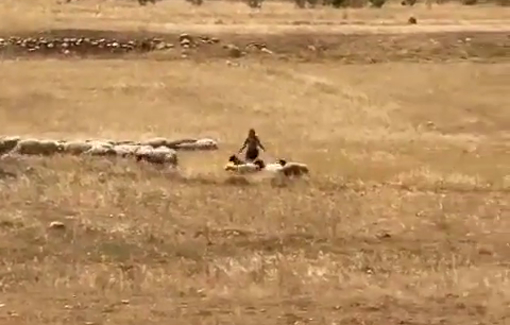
(309, 250)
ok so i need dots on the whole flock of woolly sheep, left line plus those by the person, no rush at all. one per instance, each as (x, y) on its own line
(159, 151)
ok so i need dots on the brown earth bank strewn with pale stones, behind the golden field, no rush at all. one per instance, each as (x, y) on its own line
(347, 48)
